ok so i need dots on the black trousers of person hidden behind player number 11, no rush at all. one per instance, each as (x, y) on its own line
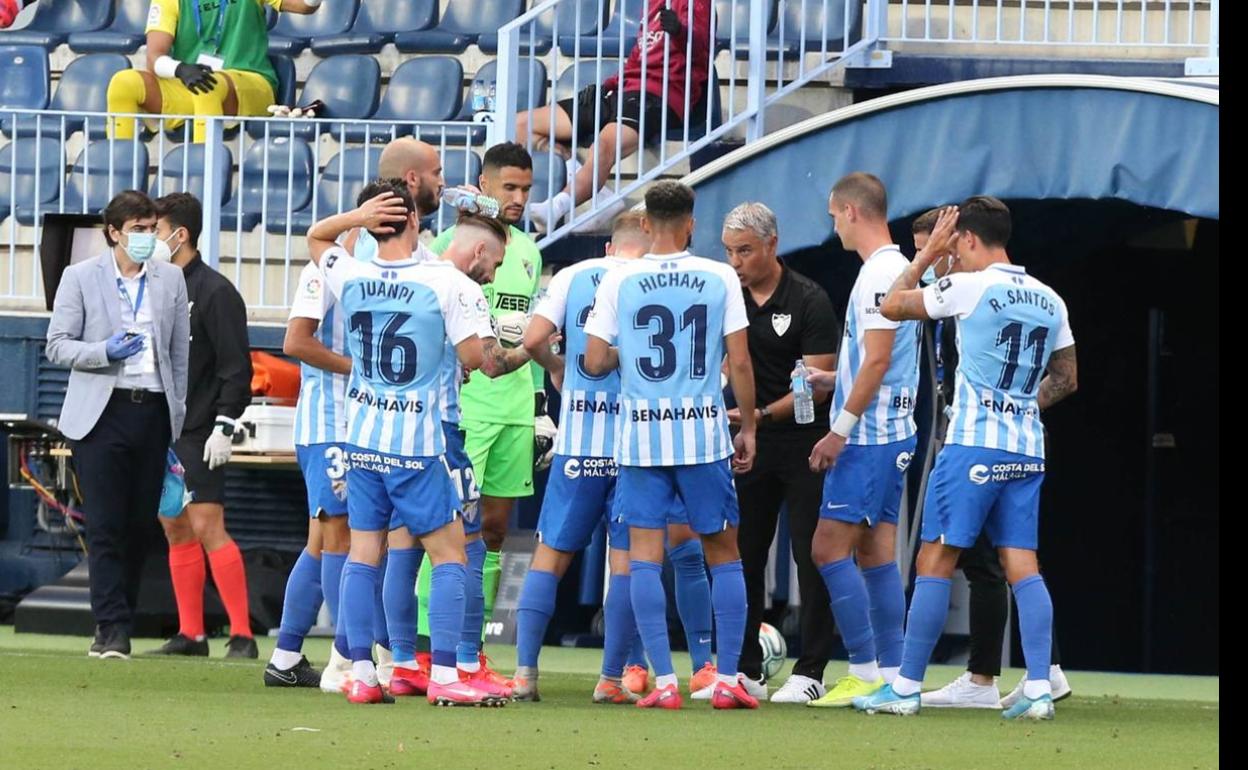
(989, 608)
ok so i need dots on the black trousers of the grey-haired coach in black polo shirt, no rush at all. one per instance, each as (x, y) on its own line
(782, 476)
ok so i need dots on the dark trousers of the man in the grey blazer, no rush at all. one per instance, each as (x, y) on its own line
(120, 467)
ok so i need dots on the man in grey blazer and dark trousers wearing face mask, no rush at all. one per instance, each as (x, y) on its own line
(122, 324)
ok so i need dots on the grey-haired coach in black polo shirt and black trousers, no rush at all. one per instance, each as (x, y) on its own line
(791, 319)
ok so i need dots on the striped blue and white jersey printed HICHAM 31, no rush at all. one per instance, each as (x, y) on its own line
(668, 315)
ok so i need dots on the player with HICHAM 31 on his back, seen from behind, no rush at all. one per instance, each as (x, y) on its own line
(672, 316)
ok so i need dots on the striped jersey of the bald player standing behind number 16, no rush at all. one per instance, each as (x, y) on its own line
(320, 414)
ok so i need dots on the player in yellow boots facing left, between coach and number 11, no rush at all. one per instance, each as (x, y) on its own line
(868, 450)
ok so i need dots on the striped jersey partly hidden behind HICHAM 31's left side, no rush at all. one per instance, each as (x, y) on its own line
(590, 406)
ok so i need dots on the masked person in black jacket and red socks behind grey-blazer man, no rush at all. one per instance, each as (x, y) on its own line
(219, 391)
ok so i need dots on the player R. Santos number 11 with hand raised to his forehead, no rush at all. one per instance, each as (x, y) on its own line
(1016, 359)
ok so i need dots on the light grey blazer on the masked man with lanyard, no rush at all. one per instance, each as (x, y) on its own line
(87, 313)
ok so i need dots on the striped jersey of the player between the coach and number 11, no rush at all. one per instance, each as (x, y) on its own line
(890, 417)
